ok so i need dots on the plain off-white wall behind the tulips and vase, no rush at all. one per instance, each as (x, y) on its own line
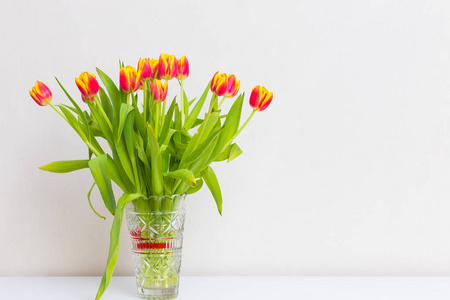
(346, 173)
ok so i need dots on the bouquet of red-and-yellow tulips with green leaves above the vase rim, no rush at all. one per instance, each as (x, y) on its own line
(154, 149)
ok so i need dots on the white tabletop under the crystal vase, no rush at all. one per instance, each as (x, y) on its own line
(236, 288)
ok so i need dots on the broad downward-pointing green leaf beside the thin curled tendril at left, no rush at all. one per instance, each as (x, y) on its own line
(102, 177)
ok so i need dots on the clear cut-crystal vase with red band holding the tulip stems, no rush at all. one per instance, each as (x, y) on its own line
(156, 230)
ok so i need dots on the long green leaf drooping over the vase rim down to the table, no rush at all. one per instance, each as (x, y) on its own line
(114, 242)
